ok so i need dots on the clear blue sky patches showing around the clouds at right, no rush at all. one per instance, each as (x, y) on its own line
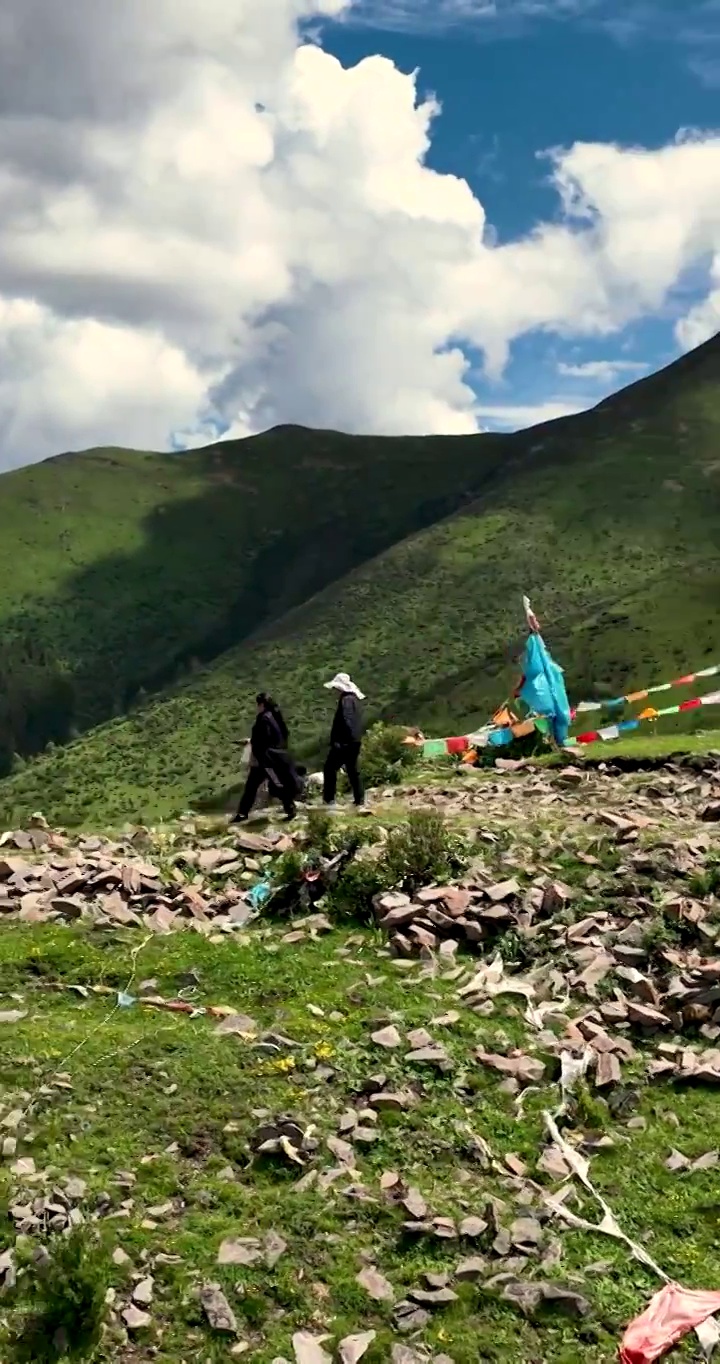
(520, 77)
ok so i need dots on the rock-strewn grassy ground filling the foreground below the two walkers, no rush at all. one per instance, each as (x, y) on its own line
(299, 1137)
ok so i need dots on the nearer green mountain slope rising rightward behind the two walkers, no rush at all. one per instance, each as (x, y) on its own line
(610, 520)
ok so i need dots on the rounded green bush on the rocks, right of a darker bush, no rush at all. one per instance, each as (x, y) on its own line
(421, 852)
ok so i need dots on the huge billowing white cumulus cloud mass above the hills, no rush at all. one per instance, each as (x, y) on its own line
(208, 224)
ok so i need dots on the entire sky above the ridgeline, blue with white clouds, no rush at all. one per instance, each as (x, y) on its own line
(393, 218)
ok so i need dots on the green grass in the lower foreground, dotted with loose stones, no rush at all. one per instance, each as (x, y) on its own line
(142, 1084)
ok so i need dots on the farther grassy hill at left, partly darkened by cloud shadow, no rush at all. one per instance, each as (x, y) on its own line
(122, 572)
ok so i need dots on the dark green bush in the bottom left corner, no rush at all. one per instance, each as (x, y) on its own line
(67, 1294)
